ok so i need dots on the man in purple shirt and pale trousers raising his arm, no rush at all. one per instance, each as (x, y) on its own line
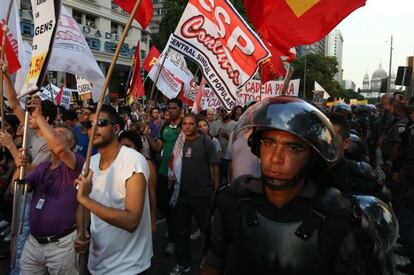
(49, 247)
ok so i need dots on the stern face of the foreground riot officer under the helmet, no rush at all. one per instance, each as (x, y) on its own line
(283, 155)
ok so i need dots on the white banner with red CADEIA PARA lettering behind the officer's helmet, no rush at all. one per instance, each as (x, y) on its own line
(252, 91)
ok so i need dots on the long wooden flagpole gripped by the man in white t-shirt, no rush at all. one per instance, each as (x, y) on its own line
(85, 215)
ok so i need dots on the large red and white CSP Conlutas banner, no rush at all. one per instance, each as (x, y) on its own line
(215, 36)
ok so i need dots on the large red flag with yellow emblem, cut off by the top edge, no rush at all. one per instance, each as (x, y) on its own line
(289, 23)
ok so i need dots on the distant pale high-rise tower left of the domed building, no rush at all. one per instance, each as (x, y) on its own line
(334, 47)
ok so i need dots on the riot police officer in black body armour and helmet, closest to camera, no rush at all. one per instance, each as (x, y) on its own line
(287, 221)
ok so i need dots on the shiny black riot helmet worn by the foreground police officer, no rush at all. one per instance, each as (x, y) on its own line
(292, 115)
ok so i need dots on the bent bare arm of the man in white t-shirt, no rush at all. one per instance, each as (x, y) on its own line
(127, 218)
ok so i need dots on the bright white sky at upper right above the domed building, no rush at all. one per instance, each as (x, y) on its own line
(367, 34)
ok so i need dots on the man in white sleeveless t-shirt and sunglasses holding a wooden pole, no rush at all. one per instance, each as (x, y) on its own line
(116, 193)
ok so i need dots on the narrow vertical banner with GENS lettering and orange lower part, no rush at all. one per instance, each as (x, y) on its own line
(45, 17)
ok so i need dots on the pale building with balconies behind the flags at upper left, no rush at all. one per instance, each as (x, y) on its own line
(102, 23)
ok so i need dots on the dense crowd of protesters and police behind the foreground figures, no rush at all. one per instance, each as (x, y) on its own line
(378, 139)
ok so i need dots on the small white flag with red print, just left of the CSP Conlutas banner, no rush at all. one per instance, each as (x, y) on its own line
(174, 73)
